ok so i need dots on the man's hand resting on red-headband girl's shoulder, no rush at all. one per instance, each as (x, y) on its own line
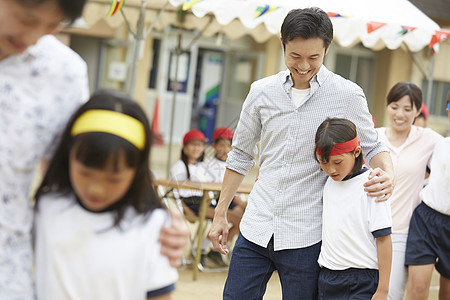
(380, 184)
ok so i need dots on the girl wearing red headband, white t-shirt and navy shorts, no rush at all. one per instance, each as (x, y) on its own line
(355, 256)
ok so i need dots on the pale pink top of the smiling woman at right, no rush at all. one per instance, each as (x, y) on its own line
(410, 161)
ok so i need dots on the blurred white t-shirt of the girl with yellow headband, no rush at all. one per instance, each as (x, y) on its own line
(79, 256)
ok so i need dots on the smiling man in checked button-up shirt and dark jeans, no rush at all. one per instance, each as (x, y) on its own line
(281, 227)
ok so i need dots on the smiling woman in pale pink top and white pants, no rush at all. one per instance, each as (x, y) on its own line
(411, 148)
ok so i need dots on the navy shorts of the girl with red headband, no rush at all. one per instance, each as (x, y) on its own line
(347, 284)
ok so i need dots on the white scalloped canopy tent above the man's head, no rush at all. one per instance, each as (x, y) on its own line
(401, 22)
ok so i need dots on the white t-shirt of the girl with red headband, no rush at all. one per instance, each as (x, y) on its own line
(350, 218)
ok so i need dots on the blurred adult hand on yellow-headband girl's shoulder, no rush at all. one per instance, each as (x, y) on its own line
(174, 238)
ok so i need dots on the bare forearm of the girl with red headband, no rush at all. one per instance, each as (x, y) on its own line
(384, 252)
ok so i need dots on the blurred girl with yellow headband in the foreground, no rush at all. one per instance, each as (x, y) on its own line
(98, 217)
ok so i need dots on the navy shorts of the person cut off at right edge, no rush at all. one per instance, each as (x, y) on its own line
(429, 239)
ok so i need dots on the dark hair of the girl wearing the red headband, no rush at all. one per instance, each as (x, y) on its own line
(335, 131)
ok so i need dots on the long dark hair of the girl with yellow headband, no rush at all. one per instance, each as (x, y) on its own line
(96, 149)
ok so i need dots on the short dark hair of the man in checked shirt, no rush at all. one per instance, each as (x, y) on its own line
(307, 23)
